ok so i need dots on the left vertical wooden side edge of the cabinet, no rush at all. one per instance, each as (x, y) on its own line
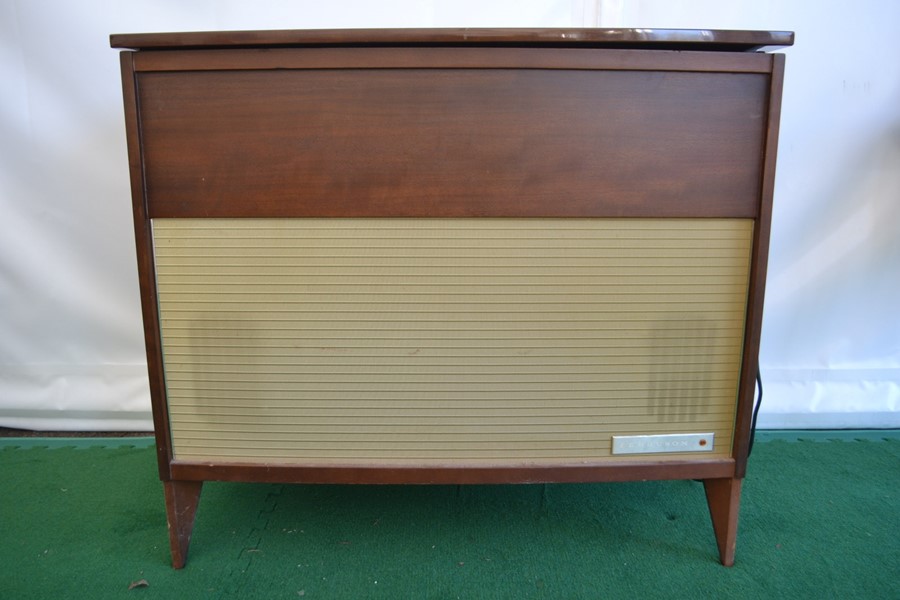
(143, 238)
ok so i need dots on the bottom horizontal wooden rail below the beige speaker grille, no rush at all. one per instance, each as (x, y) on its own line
(454, 474)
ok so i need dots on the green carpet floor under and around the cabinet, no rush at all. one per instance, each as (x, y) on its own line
(820, 518)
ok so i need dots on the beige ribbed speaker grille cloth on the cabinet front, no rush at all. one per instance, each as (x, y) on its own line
(447, 341)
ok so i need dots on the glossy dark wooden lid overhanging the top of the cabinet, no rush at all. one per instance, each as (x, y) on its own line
(661, 39)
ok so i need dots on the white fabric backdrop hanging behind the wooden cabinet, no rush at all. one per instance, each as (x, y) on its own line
(71, 348)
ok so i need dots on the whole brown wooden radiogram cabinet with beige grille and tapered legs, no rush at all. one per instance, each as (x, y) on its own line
(452, 256)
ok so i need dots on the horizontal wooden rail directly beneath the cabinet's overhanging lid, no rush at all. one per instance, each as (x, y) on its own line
(450, 58)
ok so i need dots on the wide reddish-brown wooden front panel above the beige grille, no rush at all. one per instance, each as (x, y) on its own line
(452, 143)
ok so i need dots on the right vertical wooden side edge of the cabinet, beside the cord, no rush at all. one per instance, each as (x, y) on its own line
(757, 291)
